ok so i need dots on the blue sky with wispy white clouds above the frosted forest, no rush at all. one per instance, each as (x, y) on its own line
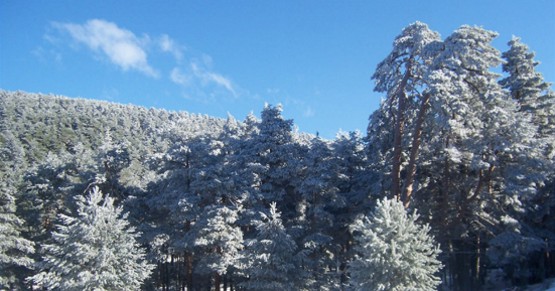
(214, 57)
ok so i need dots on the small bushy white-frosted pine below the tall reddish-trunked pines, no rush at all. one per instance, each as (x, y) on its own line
(395, 252)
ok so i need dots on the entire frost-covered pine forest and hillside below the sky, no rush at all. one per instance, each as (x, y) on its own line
(452, 187)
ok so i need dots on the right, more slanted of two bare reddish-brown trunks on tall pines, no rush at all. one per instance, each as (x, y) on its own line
(416, 140)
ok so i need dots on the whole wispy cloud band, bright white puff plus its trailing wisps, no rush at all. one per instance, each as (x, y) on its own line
(192, 71)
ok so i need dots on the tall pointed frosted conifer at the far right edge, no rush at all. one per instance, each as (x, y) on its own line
(520, 253)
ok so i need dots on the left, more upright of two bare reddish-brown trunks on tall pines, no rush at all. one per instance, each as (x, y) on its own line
(398, 134)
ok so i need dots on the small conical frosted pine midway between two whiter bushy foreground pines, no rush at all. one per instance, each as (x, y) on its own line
(271, 258)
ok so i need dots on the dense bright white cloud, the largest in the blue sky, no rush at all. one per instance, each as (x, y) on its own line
(121, 46)
